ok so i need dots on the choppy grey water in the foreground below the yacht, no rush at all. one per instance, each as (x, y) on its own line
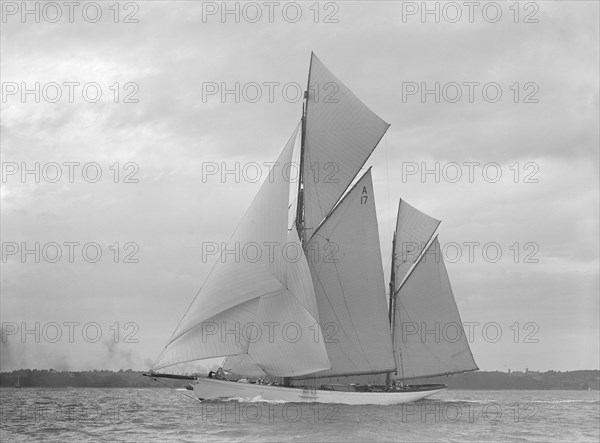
(141, 415)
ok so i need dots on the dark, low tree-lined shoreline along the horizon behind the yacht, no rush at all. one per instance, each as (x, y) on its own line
(480, 380)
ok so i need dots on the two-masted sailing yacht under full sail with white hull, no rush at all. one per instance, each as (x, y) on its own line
(307, 300)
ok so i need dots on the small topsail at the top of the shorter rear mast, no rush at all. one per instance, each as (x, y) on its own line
(414, 230)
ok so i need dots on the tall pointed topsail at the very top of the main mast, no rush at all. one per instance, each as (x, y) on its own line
(341, 132)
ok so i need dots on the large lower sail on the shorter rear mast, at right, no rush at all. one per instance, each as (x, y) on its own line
(429, 338)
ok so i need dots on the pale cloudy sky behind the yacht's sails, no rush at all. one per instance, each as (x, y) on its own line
(517, 172)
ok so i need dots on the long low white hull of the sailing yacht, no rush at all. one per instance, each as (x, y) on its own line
(211, 389)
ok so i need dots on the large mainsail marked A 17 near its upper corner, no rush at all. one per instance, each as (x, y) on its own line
(345, 261)
